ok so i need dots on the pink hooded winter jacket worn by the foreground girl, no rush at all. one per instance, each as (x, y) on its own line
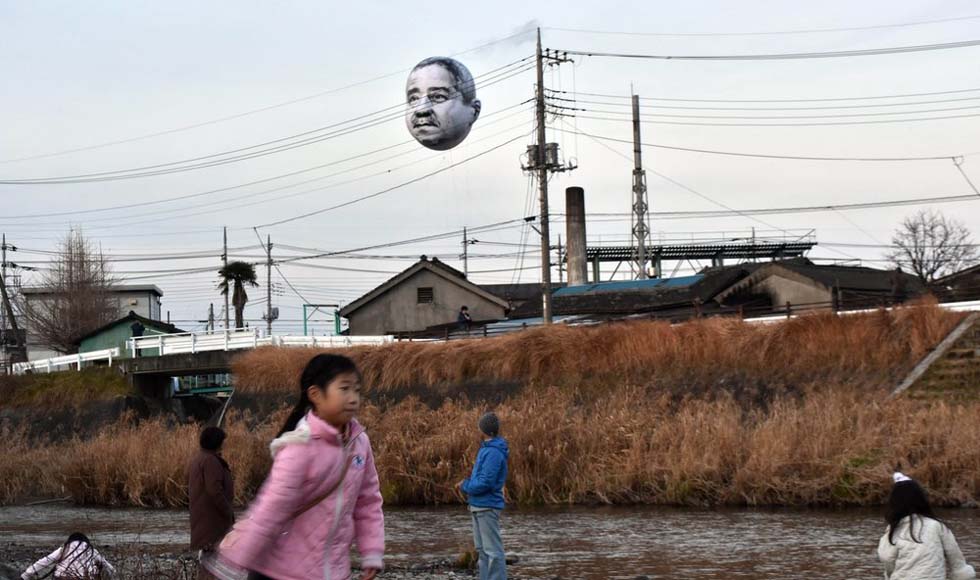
(317, 544)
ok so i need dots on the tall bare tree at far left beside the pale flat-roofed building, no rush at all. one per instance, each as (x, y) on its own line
(74, 296)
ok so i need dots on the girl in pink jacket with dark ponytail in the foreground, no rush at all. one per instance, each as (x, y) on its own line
(322, 494)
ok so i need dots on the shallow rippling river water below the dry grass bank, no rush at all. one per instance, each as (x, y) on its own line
(571, 543)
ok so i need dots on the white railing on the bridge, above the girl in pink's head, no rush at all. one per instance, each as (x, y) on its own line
(194, 342)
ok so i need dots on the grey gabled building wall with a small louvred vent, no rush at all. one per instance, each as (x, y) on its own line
(398, 309)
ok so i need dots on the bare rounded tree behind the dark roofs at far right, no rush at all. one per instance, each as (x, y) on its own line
(930, 245)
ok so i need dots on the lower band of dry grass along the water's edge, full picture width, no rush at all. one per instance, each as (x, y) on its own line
(836, 446)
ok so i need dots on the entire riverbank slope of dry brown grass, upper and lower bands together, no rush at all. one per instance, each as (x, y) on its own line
(709, 413)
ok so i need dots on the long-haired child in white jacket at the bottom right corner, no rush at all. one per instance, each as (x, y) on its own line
(917, 545)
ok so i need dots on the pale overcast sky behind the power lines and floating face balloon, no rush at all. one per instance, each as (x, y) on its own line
(78, 75)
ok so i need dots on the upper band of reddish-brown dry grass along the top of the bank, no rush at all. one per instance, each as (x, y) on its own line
(871, 349)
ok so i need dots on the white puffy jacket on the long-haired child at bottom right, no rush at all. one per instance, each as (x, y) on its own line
(935, 555)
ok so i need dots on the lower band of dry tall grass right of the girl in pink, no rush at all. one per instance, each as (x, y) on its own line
(833, 447)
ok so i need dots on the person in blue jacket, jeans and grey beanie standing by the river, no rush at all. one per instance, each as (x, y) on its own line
(485, 490)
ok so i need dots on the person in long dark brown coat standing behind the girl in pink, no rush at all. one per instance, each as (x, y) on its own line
(211, 491)
